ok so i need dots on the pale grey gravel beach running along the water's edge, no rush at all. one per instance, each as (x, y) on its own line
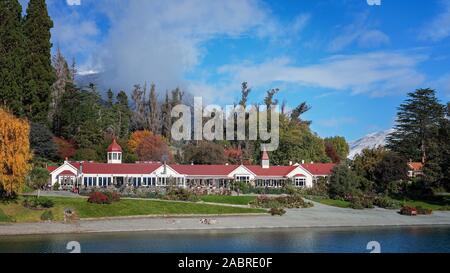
(317, 216)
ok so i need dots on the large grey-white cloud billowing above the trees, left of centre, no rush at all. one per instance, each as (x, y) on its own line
(161, 41)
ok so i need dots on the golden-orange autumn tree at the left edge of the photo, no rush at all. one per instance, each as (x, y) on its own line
(15, 153)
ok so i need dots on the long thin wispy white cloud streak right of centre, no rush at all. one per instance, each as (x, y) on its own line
(377, 73)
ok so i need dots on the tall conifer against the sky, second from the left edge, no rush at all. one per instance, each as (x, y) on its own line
(39, 75)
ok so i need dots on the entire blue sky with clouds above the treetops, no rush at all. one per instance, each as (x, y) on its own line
(353, 63)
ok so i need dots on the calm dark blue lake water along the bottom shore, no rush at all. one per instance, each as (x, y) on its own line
(411, 239)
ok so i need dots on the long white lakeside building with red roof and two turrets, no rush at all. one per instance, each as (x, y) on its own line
(85, 174)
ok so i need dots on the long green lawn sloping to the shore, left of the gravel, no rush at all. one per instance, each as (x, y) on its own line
(125, 207)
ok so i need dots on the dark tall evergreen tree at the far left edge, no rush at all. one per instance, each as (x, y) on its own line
(11, 56)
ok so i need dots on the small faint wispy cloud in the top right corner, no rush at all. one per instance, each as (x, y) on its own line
(439, 27)
